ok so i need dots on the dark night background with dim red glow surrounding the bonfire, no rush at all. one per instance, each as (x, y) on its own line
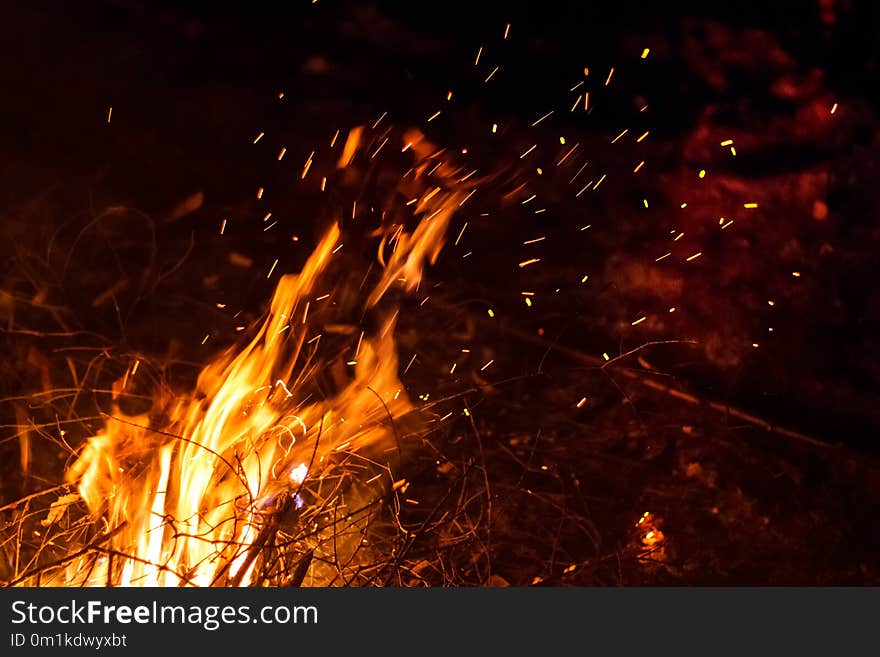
(192, 83)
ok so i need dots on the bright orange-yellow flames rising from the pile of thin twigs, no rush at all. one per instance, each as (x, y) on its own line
(186, 495)
